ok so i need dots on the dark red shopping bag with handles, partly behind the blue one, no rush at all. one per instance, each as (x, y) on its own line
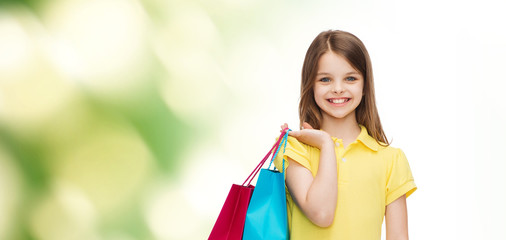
(230, 222)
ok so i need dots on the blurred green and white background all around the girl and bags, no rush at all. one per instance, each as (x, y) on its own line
(130, 119)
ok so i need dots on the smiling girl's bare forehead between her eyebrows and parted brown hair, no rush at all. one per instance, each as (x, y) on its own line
(333, 63)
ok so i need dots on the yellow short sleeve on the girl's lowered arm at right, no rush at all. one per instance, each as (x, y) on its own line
(399, 179)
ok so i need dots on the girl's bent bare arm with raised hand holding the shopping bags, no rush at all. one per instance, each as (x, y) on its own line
(316, 197)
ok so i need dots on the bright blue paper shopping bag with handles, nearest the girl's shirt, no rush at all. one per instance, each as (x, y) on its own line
(266, 217)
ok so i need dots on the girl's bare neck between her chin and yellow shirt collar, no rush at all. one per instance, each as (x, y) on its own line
(346, 128)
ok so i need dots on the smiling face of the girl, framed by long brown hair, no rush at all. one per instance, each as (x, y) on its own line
(338, 87)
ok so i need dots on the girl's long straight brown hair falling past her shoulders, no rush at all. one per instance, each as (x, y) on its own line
(351, 48)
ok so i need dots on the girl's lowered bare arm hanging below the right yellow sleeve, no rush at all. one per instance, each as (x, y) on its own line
(396, 215)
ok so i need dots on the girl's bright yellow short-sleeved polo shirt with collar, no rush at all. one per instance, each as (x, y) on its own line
(370, 177)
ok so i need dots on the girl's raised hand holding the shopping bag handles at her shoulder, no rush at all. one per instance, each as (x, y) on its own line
(310, 136)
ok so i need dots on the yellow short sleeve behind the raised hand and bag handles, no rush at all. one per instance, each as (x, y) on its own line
(296, 150)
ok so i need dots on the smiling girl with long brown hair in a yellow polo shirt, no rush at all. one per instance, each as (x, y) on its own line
(343, 178)
